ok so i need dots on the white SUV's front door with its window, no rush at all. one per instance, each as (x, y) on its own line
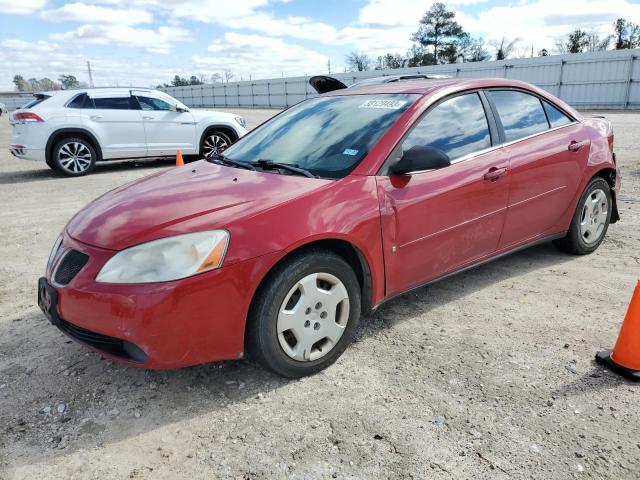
(168, 127)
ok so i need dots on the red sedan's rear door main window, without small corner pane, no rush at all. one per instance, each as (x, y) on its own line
(521, 114)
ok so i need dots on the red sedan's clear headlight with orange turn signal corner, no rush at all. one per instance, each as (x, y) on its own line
(167, 259)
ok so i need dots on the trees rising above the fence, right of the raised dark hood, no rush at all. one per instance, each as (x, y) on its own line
(440, 39)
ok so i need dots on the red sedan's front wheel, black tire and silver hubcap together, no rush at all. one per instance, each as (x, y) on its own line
(318, 335)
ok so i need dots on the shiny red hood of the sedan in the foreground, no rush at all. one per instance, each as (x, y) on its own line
(199, 196)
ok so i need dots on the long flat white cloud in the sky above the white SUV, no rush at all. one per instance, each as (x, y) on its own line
(161, 40)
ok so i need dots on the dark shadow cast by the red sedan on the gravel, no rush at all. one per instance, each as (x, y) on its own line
(47, 369)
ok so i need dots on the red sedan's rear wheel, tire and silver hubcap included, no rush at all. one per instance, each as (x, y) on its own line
(590, 221)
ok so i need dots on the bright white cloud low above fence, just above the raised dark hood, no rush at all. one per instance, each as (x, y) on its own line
(259, 57)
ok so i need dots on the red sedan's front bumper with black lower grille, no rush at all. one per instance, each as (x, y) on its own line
(162, 325)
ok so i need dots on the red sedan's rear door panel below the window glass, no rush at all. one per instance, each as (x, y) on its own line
(545, 171)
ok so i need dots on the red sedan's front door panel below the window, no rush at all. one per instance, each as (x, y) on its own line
(434, 222)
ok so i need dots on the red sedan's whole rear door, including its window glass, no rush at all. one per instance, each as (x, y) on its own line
(547, 153)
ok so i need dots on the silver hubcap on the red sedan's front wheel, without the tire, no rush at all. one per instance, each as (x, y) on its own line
(313, 317)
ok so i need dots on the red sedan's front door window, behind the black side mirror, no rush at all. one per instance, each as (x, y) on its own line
(457, 127)
